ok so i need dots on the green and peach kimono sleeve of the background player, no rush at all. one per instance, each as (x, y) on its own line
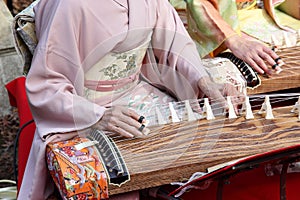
(210, 22)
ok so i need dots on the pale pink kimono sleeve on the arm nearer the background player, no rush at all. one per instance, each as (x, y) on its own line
(178, 64)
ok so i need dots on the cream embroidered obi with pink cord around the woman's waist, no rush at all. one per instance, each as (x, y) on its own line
(115, 73)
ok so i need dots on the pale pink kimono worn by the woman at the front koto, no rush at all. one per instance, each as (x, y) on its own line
(73, 37)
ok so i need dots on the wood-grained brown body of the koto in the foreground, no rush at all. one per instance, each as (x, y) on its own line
(173, 152)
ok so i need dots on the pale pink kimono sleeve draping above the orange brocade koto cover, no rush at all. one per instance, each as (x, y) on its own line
(55, 81)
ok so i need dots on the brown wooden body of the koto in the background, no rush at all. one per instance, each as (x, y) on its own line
(288, 78)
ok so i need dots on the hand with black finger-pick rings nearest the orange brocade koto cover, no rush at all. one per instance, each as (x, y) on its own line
(122, 121)
